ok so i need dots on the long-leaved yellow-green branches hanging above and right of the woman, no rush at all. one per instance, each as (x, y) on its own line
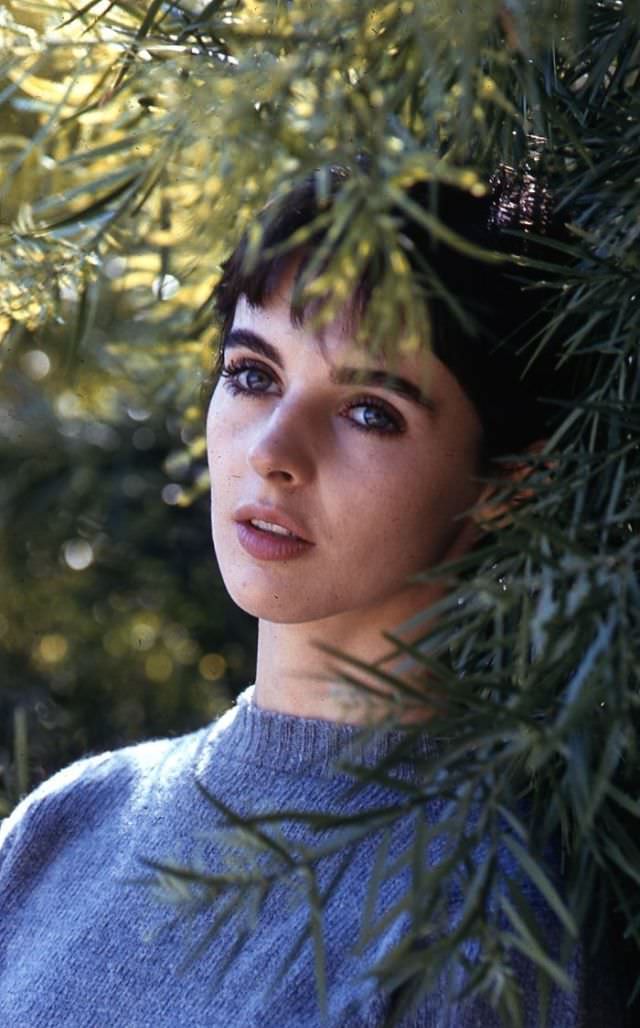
(138, 143)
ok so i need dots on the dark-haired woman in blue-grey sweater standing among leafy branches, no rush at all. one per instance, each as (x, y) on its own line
(335, 480)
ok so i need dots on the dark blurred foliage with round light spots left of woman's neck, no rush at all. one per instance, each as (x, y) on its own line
(115, 623)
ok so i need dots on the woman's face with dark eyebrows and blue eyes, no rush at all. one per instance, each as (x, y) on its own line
(375, 481)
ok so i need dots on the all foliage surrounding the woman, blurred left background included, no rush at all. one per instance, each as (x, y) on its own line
(137, 142)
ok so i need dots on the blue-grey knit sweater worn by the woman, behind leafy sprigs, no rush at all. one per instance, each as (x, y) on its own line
(87, 942)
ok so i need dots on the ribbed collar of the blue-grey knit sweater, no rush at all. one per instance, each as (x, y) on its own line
(249, 736)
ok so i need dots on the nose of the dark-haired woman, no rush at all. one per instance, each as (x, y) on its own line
(282, 446)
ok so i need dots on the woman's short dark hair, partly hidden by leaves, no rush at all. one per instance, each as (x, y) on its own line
(518, 388)
